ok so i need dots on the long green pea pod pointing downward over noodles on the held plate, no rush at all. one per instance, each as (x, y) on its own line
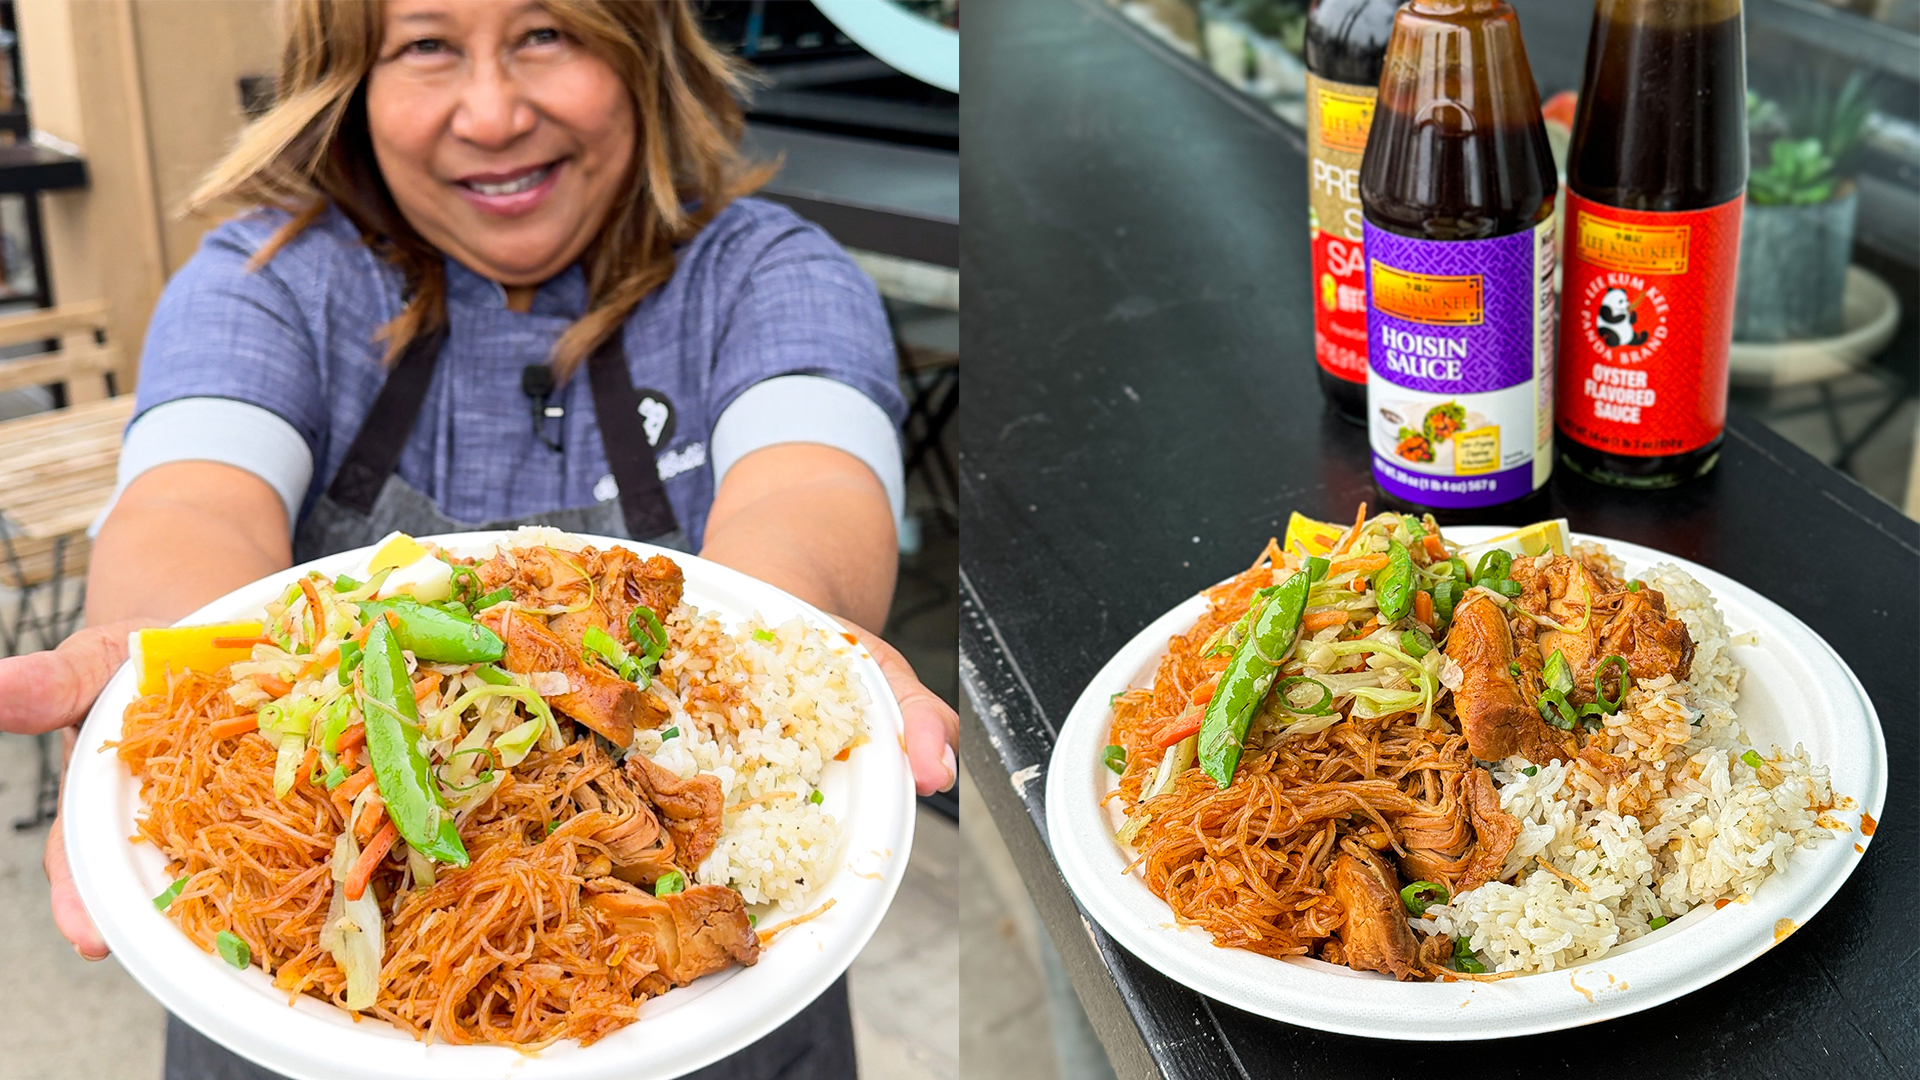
(395, 749)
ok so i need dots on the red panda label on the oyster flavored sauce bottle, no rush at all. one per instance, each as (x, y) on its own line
(1646, 320)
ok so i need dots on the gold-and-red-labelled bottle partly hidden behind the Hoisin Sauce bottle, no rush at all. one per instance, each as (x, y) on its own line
(1345, 45)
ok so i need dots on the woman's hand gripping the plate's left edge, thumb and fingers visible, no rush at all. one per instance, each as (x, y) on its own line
(53, 691)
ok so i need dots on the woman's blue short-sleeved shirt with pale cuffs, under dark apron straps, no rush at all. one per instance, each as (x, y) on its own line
(756, 297)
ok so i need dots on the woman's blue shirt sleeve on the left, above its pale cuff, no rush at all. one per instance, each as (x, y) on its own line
(228, 331)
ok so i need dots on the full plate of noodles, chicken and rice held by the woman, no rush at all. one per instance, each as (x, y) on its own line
(492, 804)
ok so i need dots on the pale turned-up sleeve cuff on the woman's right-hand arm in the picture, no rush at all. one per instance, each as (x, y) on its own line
(807, 408)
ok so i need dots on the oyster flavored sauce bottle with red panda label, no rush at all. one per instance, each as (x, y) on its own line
(1656, 178)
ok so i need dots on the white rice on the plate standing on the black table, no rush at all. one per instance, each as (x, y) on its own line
(1689, 823)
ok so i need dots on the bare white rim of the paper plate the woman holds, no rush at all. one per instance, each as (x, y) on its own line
(871, 795)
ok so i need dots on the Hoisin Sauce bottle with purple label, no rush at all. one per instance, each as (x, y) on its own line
(1458, 197)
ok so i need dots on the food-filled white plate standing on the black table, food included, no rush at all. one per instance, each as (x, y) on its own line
(1410, 783)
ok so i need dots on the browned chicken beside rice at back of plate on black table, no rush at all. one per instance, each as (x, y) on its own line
(1572, 639)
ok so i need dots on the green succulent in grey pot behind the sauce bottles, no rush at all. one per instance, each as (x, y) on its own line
(1796, 233)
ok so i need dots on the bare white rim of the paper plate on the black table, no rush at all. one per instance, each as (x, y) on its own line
(1796, 691)
